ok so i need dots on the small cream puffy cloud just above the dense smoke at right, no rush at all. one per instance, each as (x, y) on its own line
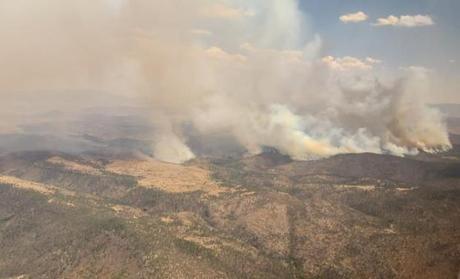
(350, 63)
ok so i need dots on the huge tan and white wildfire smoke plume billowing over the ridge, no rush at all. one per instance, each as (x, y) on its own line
(249, 68)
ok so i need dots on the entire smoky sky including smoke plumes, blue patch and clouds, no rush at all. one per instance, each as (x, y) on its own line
(310, 78)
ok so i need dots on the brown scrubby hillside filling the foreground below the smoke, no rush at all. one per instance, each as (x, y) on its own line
(349, 216)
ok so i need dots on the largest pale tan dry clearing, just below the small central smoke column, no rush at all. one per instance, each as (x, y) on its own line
(168, 177)
